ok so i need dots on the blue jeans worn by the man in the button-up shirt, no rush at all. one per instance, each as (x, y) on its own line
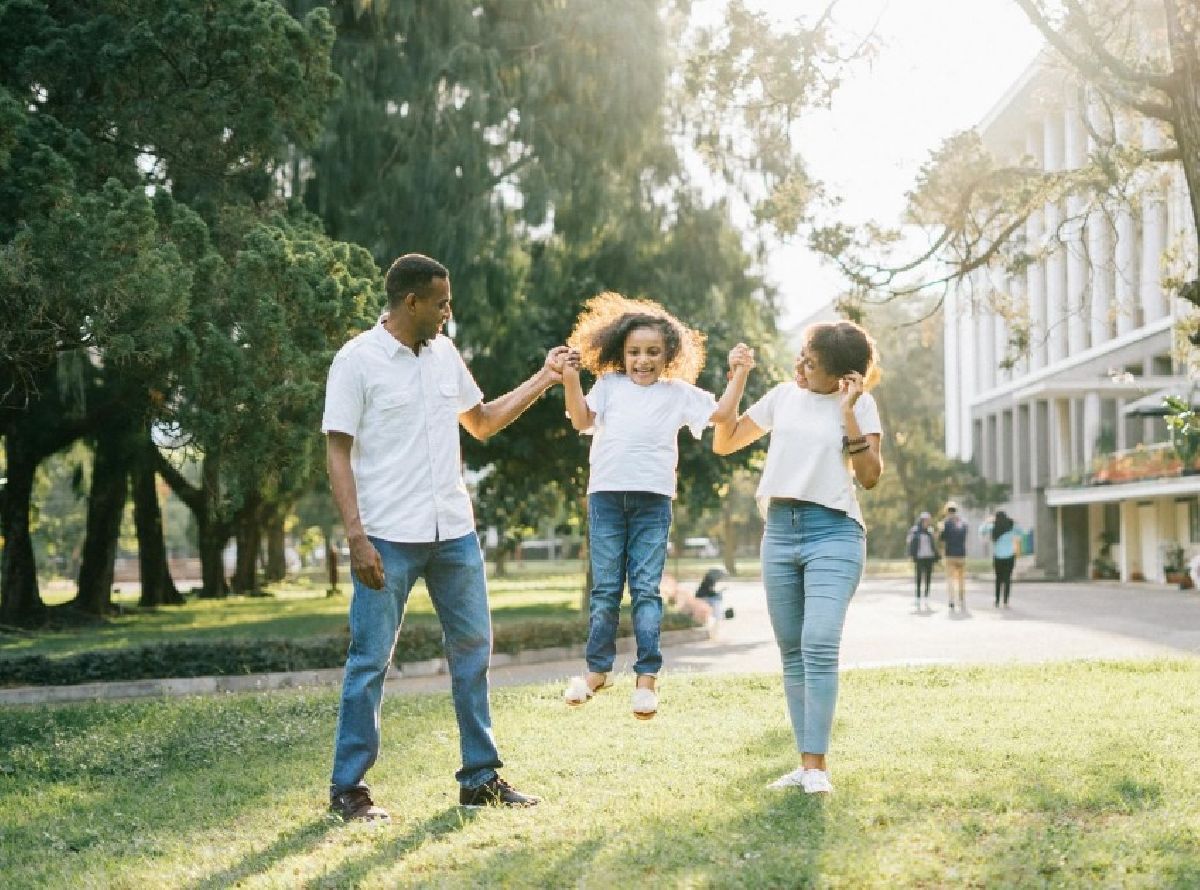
(454, 575)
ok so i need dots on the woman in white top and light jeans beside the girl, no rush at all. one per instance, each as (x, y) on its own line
(825, 436)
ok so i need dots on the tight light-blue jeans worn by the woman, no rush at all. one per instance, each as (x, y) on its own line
(812, 563)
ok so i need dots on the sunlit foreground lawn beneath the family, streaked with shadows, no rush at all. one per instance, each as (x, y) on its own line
(1076, 775)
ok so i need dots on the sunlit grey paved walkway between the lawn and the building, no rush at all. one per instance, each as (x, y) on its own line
(1046, 622)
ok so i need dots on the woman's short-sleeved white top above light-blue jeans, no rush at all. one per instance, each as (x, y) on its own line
(806, 460)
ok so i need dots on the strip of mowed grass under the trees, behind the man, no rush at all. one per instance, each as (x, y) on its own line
(292, 612)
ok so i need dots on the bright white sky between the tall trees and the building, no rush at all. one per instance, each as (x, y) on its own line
(941, 68)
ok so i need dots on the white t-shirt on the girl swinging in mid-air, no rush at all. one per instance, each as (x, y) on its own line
(635, 440)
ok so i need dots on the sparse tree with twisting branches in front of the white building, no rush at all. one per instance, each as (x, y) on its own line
(1133, 63)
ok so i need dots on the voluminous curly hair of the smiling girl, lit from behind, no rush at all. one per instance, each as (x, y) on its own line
(605, 323)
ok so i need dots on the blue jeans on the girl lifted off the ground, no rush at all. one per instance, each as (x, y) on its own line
(628, 537)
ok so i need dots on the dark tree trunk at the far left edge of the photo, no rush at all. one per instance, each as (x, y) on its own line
(21, 603)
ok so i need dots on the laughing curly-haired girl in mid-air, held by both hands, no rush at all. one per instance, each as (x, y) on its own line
(646, 362)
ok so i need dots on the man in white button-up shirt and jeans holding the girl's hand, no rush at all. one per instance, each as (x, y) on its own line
(394, 402)
